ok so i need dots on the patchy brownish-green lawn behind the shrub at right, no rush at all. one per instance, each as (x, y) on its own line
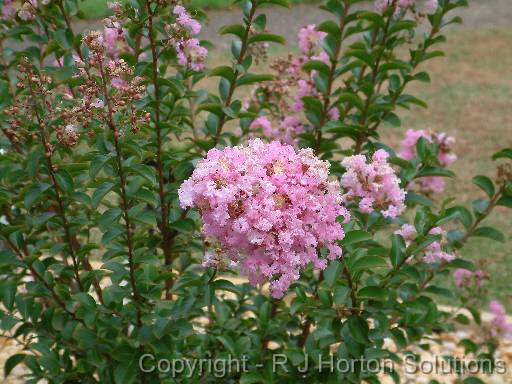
(469, 97)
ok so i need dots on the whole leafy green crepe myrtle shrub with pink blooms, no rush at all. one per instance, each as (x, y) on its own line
(144, 212)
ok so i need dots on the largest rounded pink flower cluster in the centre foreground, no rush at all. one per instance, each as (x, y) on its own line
(270, 207)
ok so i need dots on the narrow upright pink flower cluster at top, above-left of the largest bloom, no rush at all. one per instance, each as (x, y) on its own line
(188, 49)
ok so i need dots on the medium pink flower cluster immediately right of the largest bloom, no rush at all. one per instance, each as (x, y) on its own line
(373, 185)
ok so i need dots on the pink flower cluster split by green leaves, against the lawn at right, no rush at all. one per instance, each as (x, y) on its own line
(445, 156)
